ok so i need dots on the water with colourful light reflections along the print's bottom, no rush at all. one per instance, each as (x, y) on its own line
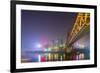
(79, 54)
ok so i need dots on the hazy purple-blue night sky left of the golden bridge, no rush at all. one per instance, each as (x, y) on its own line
(43, 25)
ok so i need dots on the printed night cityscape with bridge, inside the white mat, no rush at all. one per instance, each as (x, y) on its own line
(45, 36)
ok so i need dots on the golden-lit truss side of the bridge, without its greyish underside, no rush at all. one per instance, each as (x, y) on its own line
(82, 21)
